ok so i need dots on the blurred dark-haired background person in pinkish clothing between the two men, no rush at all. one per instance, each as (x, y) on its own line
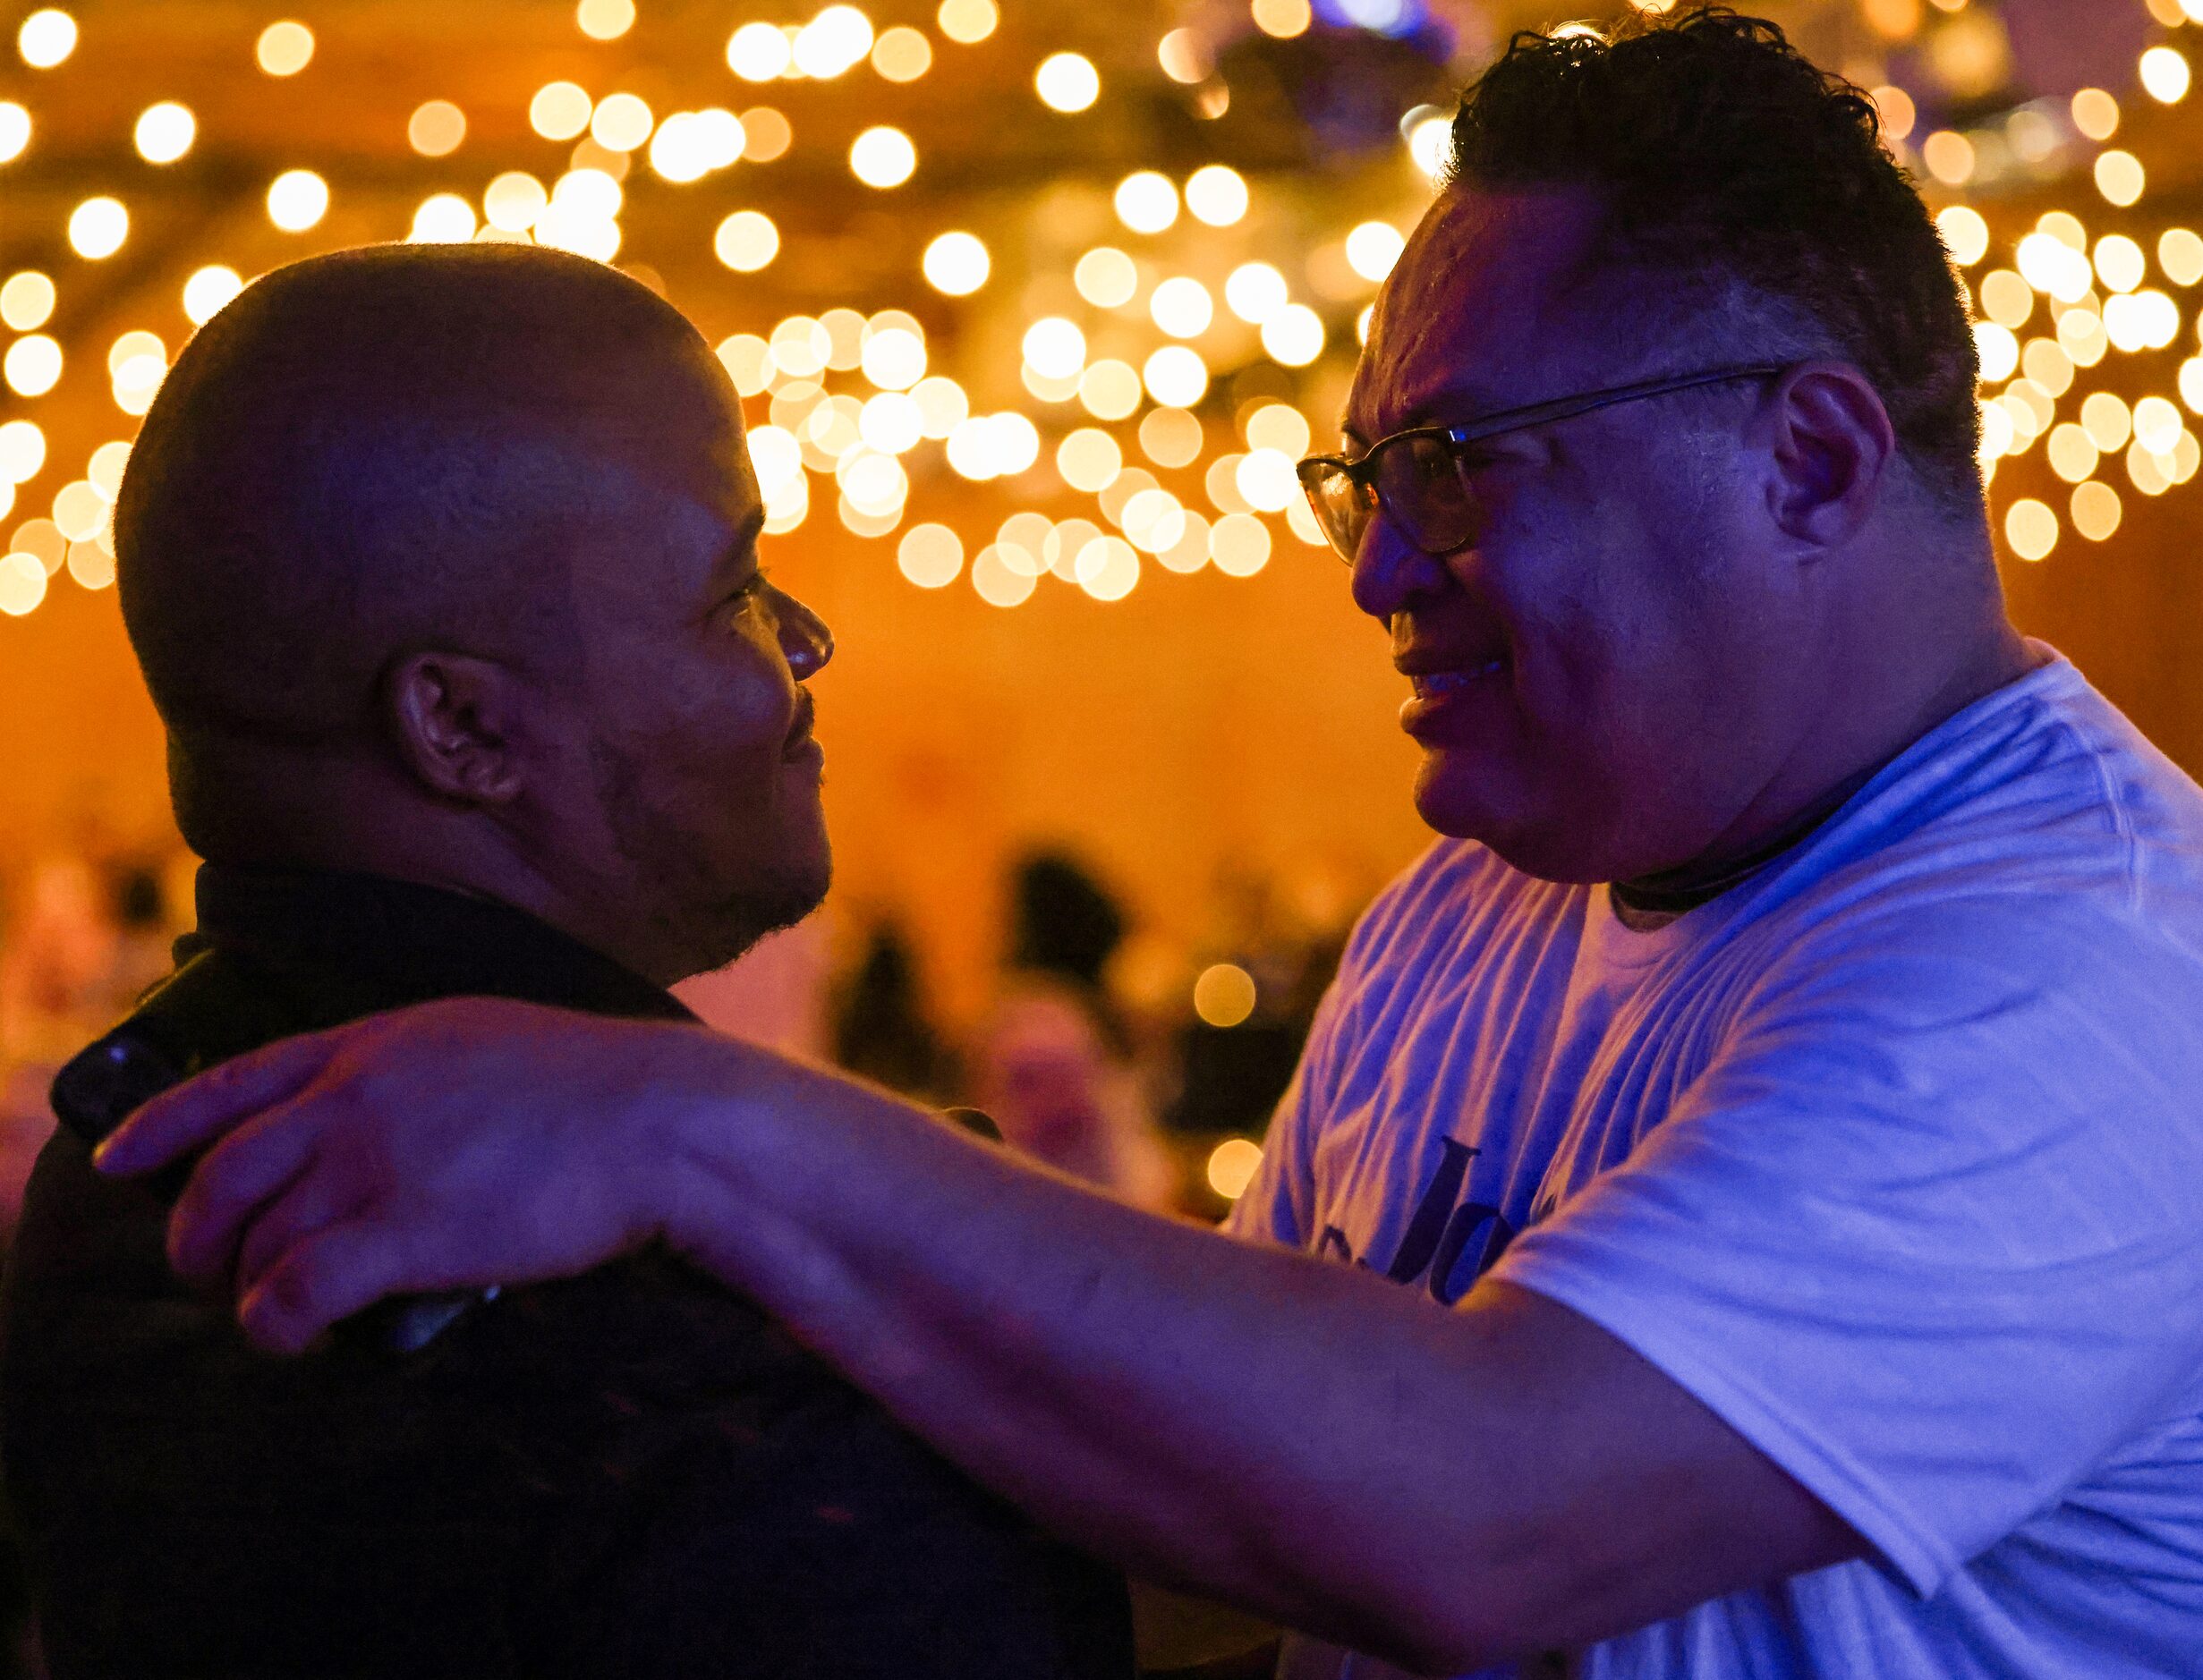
(1054, 1065)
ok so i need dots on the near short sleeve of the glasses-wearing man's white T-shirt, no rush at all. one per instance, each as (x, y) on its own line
(1929, 1232)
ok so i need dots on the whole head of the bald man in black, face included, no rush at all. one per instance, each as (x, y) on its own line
(442, 563)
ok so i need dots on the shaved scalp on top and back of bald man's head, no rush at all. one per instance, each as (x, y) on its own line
(369, 452)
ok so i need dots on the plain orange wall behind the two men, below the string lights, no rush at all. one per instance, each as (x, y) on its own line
(1197, 728)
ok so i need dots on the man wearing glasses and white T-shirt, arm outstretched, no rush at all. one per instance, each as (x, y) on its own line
(1741, 1210)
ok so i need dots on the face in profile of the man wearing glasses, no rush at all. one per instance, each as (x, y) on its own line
(1587, 670)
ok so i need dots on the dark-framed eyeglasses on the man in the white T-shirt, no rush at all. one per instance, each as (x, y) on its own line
(1420, 479)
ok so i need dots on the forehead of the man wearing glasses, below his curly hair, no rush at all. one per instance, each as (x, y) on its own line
(1473, 316)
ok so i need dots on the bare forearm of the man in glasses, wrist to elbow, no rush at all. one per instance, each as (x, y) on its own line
(1241, 1421)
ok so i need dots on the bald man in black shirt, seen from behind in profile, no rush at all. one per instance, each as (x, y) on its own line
(442, 569)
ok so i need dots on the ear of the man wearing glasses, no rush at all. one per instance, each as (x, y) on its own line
(1832, 448)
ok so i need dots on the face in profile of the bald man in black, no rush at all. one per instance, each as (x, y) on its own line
(697, 787)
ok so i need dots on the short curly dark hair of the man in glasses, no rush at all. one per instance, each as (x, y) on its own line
(1726, 157)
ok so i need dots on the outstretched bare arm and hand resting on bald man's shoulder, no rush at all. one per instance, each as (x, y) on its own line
(1442, 1490)
